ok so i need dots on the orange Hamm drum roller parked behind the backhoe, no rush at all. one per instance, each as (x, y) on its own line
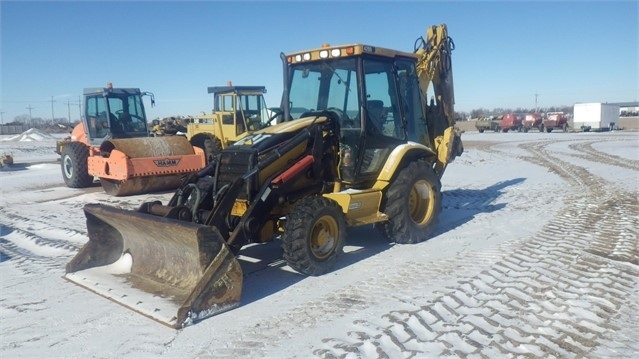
(112, 143)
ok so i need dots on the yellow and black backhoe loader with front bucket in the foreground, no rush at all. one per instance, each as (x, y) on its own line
(359, 143)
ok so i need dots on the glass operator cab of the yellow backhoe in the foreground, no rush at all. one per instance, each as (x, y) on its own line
(372, 92)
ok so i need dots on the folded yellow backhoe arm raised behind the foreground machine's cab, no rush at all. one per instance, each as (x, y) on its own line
(434, 67)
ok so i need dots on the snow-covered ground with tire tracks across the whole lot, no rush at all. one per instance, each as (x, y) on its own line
(536, 254)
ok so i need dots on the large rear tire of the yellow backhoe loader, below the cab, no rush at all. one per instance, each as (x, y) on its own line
(412, 217)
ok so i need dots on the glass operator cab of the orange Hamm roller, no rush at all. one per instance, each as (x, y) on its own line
(115, 113)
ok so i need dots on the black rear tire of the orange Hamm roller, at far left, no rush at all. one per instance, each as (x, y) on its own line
(74, 165)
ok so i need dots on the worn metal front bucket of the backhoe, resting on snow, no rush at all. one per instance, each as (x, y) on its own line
(172, 271)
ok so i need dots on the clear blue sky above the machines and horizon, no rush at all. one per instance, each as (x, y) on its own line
(506, 52)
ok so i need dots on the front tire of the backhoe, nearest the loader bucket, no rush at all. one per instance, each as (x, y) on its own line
(314, 235)
